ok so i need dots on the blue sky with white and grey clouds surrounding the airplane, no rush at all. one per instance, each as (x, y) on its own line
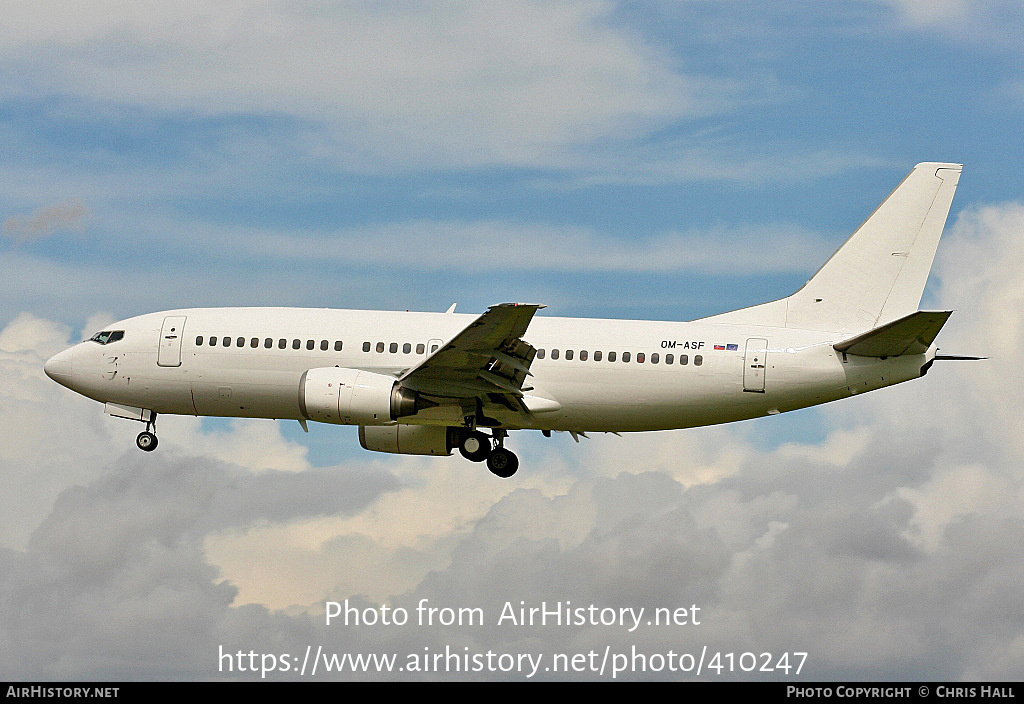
(626, 160)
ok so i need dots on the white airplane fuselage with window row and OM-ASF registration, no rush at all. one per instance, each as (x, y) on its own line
(615, 376)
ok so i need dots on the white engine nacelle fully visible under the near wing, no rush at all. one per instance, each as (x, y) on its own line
(346, 397)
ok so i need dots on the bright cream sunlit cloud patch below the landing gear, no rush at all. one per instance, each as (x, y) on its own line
(379, 553)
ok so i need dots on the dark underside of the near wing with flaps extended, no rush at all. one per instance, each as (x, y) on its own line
(490, 357)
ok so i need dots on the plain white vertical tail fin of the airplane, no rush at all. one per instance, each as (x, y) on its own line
(880, 273)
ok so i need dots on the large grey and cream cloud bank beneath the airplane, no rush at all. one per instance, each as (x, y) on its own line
(888, 551)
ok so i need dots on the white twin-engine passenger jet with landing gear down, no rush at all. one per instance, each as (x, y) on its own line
(428, 383)
